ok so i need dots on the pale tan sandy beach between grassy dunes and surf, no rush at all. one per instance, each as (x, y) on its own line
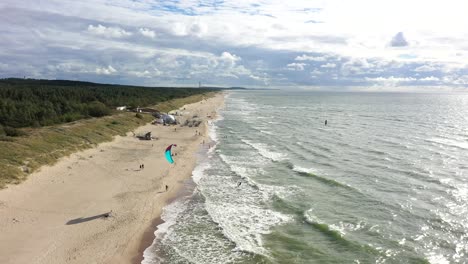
(59, 214)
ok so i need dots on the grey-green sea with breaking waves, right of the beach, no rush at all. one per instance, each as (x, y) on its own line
(384, 181)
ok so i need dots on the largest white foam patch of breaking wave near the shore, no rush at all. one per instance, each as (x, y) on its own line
(242, 212)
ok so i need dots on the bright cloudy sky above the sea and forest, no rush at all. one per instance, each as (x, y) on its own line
(367, 45)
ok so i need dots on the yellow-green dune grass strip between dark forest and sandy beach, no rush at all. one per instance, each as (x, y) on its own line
(20, 156)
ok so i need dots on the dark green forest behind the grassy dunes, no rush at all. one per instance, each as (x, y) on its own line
(29, 102)
